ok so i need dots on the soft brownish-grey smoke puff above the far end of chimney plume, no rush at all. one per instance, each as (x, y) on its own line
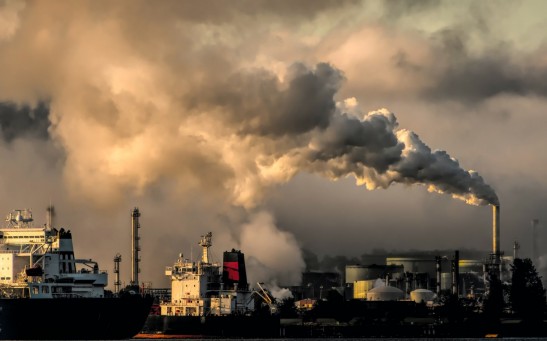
(259, 104)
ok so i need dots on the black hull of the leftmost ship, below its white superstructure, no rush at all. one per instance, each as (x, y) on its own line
(73, 318)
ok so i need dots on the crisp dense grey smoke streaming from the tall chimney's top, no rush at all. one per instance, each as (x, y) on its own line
(378, 155)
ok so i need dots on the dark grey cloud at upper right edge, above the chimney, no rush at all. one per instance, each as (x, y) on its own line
(473, 78)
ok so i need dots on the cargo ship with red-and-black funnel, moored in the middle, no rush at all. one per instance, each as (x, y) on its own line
(211, 300)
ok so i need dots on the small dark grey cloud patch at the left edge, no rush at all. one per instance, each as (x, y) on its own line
(23, 121)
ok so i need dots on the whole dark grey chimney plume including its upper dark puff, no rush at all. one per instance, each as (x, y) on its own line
(319, 139)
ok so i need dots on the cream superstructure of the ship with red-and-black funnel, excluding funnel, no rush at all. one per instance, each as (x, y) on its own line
(197, 288)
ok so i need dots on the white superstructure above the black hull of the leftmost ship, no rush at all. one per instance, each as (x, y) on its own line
(39, 262)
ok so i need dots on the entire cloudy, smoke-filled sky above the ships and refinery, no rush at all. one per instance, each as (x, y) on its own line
(338, 127)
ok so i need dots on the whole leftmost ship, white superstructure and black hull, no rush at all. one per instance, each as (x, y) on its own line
(47, 293)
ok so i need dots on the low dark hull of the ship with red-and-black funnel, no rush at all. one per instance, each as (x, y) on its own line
(225, 326)
